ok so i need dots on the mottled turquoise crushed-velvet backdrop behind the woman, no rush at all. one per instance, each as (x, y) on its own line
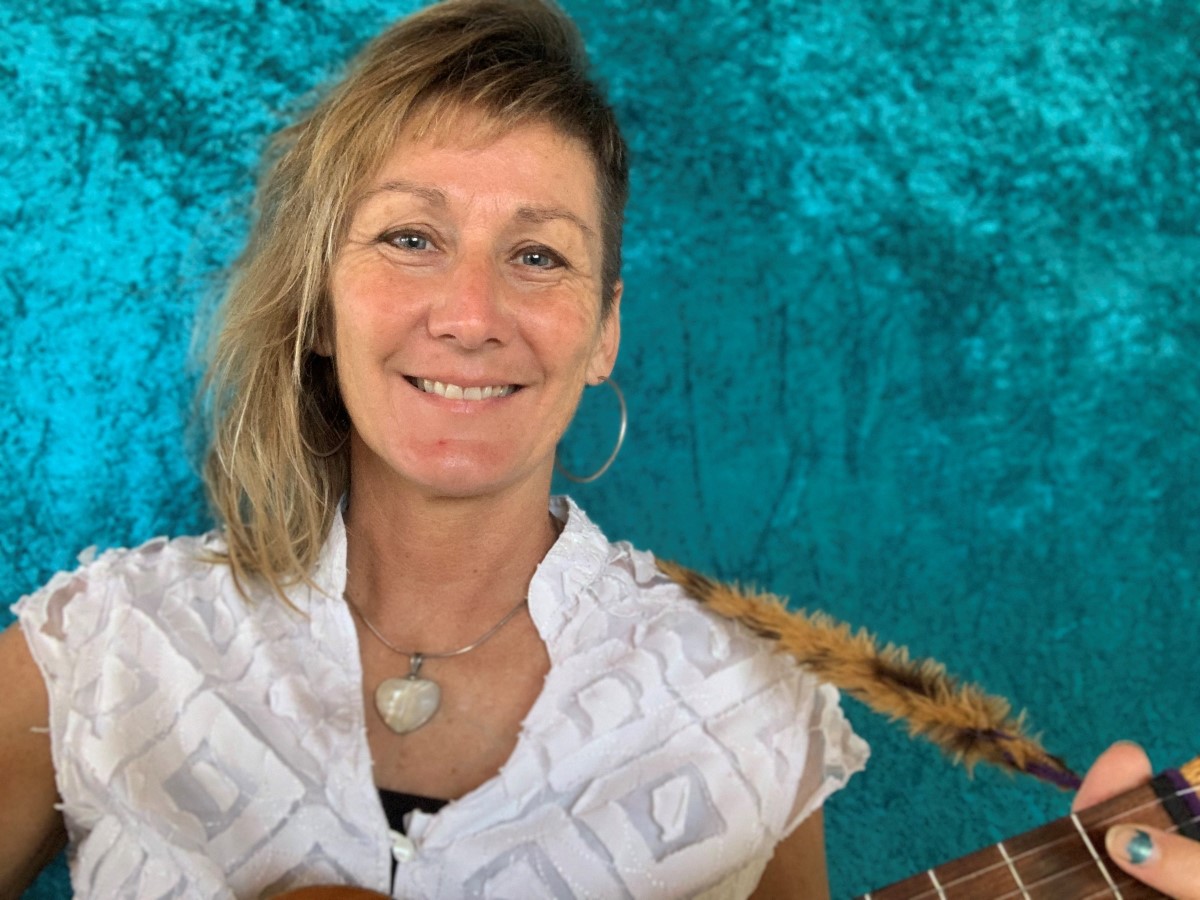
(911, 329)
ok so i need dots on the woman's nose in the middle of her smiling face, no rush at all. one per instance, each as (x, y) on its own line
(470, 309)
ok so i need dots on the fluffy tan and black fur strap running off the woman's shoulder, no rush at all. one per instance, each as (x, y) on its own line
(968, 724)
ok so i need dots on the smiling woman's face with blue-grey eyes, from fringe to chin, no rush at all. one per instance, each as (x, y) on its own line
(467, 309)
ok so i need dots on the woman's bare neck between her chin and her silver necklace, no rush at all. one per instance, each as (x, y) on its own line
(428, 571)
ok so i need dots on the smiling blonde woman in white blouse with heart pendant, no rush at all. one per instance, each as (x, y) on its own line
(395, 614)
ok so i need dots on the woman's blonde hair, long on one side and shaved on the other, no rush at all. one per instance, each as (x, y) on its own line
(278, 459)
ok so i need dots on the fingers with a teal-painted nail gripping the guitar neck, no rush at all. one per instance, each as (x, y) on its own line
(1169, 863)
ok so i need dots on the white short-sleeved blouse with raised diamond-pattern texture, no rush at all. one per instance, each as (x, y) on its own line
(211, 748)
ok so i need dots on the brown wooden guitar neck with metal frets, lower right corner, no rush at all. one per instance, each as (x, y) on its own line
(1065, 860)
